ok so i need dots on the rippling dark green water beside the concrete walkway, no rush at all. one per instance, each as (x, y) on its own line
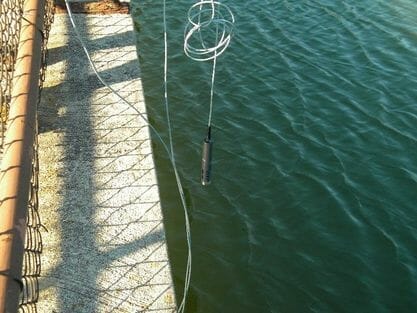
(313, 205)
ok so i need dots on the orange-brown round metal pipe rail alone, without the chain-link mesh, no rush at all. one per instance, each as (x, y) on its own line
(15, 172)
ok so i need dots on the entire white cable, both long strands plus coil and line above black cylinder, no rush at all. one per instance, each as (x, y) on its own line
(207, 35)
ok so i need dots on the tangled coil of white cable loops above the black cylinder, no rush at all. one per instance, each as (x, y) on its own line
(208, 31)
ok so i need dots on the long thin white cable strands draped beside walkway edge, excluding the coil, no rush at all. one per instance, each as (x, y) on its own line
(170, 151)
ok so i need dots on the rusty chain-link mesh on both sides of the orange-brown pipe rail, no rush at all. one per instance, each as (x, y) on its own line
(11, 16)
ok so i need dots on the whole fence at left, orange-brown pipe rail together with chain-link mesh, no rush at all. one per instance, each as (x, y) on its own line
(24, 26)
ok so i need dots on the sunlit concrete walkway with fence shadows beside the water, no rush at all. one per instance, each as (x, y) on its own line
(105, 248)
